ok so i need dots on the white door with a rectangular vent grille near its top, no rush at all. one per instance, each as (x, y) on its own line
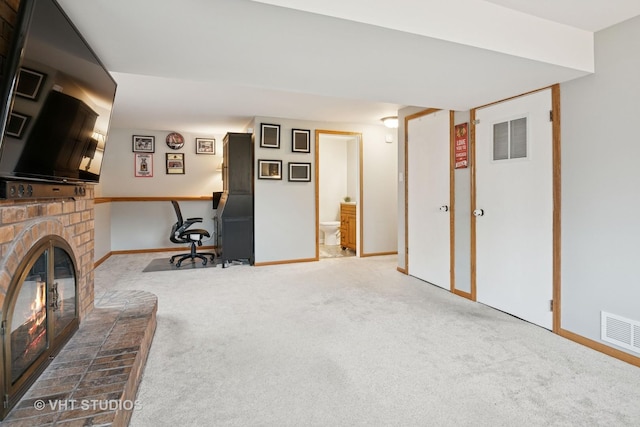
(514, 207)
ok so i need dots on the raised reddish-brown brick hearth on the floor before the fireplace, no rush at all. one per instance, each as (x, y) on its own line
(94, 379)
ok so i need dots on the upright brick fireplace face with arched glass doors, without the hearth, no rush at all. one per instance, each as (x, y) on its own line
(46, 284)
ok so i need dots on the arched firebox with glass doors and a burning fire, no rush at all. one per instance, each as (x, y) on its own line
(39, 315)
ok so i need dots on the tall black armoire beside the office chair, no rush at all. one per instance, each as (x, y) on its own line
(234, 219)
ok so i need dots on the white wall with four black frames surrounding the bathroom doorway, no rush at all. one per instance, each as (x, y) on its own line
(285, 211)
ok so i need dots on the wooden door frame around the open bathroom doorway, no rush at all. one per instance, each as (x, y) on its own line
(360, 210)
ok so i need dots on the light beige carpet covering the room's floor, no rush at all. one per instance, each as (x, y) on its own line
(352, 342)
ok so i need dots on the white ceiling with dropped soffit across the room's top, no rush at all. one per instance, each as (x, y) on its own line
(209, 66)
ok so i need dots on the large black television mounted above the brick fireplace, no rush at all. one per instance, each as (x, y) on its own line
(56, 99)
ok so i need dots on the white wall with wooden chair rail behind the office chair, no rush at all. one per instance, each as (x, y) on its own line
(146, 225)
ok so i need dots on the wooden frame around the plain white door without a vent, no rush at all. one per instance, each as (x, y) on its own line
(451, 193)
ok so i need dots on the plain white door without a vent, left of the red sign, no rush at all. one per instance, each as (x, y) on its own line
(428, 198)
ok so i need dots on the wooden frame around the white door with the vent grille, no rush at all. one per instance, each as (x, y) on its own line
(556, 171)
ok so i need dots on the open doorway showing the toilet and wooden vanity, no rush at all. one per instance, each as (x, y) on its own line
(338, 188)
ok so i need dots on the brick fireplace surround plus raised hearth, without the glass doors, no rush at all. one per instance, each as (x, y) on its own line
(95, 376)
